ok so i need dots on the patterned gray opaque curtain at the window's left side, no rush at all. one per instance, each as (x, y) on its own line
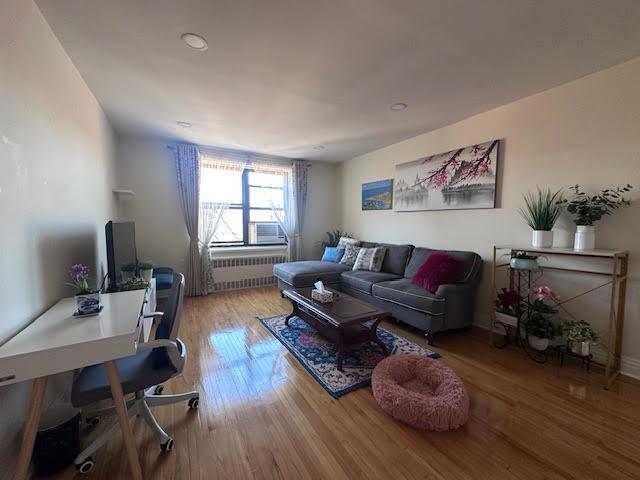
(188, 175)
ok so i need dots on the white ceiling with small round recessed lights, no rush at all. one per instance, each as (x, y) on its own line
(281, 76)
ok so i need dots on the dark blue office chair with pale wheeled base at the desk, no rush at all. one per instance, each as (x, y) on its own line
(141, 375)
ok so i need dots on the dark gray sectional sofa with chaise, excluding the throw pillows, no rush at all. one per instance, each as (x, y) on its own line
(451, 307)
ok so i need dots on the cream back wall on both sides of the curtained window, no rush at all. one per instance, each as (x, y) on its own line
(146, 166)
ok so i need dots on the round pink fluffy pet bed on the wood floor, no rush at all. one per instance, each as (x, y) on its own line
(421, 392)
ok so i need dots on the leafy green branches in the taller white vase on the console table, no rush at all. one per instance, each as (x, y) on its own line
(588, 209)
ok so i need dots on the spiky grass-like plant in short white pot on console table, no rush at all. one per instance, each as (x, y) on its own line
(541, 211)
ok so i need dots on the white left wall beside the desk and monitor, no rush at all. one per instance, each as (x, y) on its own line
(56, 173)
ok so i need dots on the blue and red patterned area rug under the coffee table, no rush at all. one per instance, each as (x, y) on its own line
(318, 355)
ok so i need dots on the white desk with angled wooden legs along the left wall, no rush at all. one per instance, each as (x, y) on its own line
(57, 342)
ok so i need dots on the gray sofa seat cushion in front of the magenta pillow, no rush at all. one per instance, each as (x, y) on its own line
(406, 294)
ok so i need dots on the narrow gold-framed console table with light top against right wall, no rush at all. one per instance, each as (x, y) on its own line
(617, 262)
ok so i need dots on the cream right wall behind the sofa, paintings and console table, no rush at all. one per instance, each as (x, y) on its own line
(586, 132)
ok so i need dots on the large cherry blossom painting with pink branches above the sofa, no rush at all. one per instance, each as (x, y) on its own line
(459, 179)
